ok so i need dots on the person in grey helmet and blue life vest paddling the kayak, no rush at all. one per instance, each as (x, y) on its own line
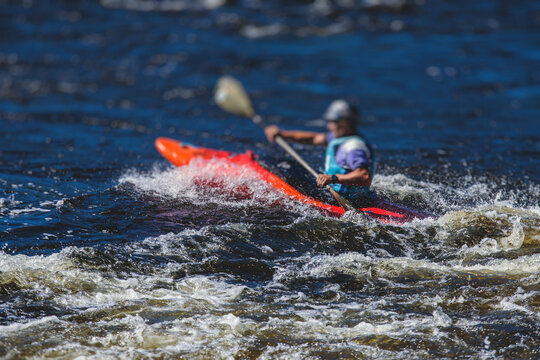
(348, 164)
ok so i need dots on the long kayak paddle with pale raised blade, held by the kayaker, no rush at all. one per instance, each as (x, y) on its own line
(231, 97)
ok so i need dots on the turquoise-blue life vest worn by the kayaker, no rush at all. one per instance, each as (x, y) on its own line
(331, 166)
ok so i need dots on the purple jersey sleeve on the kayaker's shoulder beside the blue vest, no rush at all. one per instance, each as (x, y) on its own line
(352, 154)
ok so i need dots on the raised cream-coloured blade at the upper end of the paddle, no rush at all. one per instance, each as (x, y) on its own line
(231, 96)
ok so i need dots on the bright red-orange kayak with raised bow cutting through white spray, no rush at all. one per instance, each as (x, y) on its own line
(180, 155)
